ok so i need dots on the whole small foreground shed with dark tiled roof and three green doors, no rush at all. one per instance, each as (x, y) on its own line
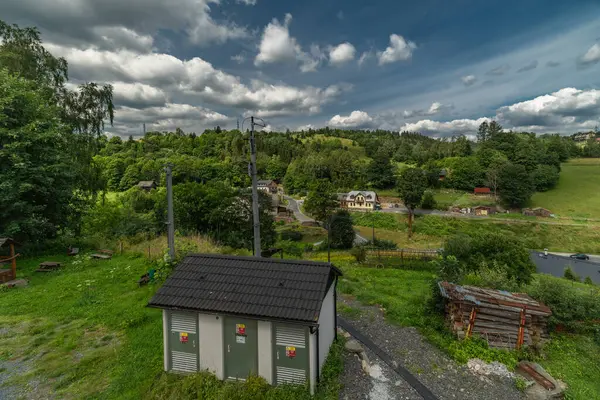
(237, 316)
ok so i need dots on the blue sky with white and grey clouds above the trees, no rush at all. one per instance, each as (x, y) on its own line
(440, 67)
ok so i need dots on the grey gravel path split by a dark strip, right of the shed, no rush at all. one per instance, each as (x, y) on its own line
(442, 375)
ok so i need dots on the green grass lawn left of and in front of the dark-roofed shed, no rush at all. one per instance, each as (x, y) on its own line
(85, 333)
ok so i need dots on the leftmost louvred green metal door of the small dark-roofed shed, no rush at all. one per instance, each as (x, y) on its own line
(183, 342)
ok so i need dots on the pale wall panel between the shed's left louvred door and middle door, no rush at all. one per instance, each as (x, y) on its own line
(210, 338)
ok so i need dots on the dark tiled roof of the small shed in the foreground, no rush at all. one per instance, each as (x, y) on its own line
(259, 287)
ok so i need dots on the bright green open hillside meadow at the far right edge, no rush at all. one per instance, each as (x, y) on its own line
(577, 194)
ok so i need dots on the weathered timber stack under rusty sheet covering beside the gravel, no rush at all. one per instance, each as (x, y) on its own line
(503, 319)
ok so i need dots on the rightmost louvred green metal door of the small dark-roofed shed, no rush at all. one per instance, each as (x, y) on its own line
(291, 355)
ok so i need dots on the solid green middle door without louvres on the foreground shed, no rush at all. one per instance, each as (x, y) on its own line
(241, 348)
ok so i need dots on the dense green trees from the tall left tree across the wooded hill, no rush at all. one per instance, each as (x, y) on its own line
(57, 166)
